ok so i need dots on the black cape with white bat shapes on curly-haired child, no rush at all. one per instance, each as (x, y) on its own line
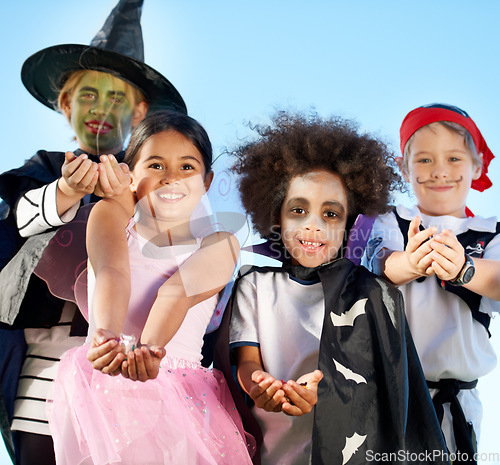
(373, 403)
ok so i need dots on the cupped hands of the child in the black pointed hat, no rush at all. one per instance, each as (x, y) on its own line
(106, 179)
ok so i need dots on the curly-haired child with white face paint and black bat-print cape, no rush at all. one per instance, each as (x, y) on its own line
(319, 331)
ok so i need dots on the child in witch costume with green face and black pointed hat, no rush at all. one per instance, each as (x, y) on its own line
(103, 90)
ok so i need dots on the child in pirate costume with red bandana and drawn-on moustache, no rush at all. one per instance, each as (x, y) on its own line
(446, 262)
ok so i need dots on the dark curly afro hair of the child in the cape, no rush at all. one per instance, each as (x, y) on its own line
(294, 145)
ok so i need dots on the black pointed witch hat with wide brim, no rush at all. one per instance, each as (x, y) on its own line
(116, 49)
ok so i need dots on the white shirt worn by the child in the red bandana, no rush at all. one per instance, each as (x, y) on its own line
(450, 343)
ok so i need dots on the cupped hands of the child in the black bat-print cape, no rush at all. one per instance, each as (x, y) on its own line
(294, 398)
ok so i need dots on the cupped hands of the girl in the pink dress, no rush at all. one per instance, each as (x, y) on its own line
(106, 355)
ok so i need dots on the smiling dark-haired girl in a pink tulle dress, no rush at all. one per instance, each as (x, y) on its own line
(156, 285)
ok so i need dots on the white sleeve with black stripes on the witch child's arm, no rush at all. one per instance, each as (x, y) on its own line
(36, 211)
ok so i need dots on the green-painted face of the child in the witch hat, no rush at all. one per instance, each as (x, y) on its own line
(101, 113)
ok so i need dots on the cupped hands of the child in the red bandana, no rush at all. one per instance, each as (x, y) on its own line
(429, 252)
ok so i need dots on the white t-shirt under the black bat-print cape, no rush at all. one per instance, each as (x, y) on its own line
(284, 317)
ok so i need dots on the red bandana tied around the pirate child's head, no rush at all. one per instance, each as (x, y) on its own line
(428, 114)
